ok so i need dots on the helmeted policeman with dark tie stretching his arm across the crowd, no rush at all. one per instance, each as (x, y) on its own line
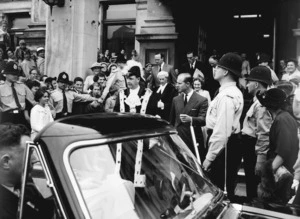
(62, 99)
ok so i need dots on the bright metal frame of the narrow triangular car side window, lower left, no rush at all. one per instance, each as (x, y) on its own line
(49, 178)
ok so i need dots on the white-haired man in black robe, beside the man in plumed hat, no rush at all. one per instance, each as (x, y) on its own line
(161, 99)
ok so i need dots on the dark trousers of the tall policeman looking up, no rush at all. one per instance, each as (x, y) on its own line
(217, 169)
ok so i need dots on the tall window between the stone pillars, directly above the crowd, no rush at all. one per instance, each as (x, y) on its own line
(119, 28)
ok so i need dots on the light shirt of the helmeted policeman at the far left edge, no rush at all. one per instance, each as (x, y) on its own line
(7, 101)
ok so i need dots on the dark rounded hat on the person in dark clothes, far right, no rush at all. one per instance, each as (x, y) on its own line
(273, 98)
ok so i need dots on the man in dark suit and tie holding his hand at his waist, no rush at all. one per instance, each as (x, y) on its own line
(189, 107)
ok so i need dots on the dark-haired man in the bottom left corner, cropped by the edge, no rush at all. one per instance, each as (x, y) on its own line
(12, 148)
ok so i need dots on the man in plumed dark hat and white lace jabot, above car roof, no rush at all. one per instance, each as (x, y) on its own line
(130, 99)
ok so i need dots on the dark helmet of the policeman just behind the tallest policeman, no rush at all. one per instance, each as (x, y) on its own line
(260, 74)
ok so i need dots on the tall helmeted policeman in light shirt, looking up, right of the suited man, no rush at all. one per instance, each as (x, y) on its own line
(222, 121)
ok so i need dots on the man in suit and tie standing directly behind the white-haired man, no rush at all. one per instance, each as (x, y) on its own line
(161, 66)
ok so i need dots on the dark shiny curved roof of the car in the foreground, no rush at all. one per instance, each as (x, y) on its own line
(71, 129)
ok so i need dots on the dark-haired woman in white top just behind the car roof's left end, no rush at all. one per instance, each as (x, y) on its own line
(40, 114)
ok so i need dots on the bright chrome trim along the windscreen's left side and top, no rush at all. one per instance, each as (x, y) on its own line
(69, 149)
